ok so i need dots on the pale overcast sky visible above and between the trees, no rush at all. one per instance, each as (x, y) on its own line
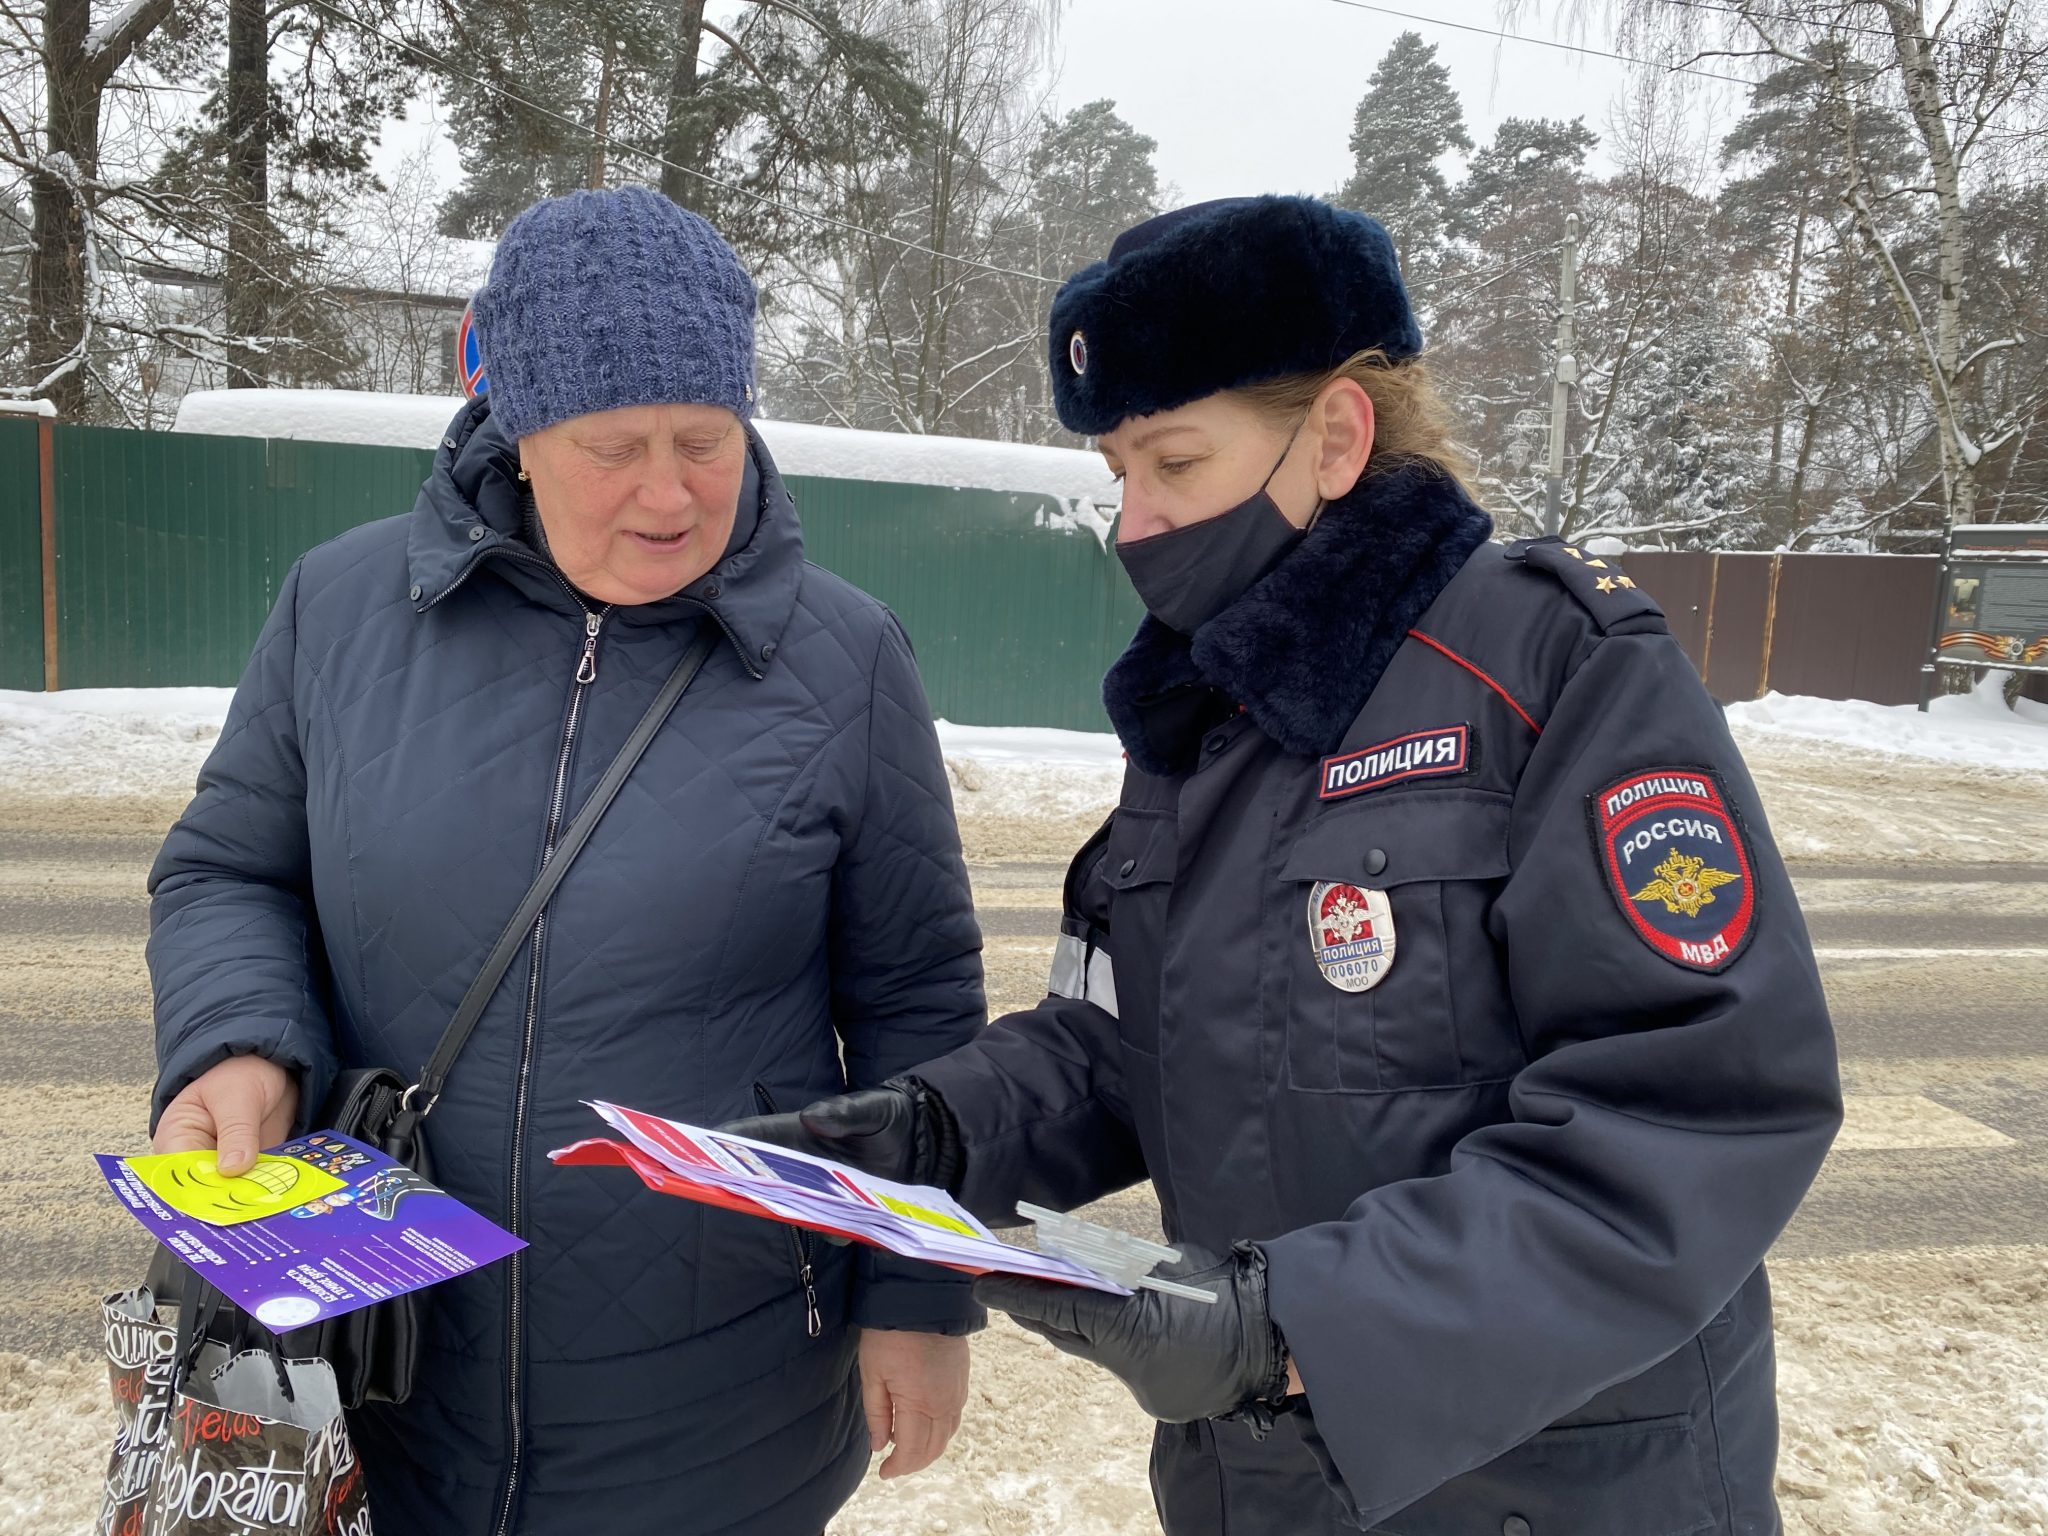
(1258, 95)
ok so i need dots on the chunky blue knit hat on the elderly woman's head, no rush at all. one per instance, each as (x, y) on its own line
(603, 300)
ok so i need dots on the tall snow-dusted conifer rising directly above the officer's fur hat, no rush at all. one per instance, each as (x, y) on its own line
(1406, 124)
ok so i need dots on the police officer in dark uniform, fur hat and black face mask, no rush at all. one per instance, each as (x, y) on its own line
(1437, 964)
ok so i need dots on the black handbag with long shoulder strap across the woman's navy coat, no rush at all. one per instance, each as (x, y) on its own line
(376, 1349)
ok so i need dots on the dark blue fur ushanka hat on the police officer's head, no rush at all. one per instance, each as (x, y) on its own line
(1222, 296)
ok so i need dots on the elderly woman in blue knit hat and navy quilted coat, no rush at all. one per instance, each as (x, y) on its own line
(775, 900)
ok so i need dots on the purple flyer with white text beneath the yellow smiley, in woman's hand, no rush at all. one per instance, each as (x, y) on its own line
(386, 1232)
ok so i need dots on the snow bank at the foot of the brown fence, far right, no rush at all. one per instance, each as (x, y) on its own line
(1975, 730)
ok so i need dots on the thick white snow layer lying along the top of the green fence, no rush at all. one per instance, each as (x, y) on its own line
(1078, 480)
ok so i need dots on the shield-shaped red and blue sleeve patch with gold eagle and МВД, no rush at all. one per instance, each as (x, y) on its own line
(1678, 865)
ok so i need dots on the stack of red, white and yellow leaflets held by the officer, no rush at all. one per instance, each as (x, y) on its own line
(790, 1187)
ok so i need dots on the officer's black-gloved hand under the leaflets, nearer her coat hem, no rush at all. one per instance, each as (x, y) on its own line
(1181, 1359)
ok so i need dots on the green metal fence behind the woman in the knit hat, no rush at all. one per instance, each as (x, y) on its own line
(171, 550)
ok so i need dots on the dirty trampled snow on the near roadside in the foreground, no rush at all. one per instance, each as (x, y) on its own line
(1912, 1398)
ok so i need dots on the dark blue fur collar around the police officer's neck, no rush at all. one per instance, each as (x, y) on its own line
(1304, 648)
